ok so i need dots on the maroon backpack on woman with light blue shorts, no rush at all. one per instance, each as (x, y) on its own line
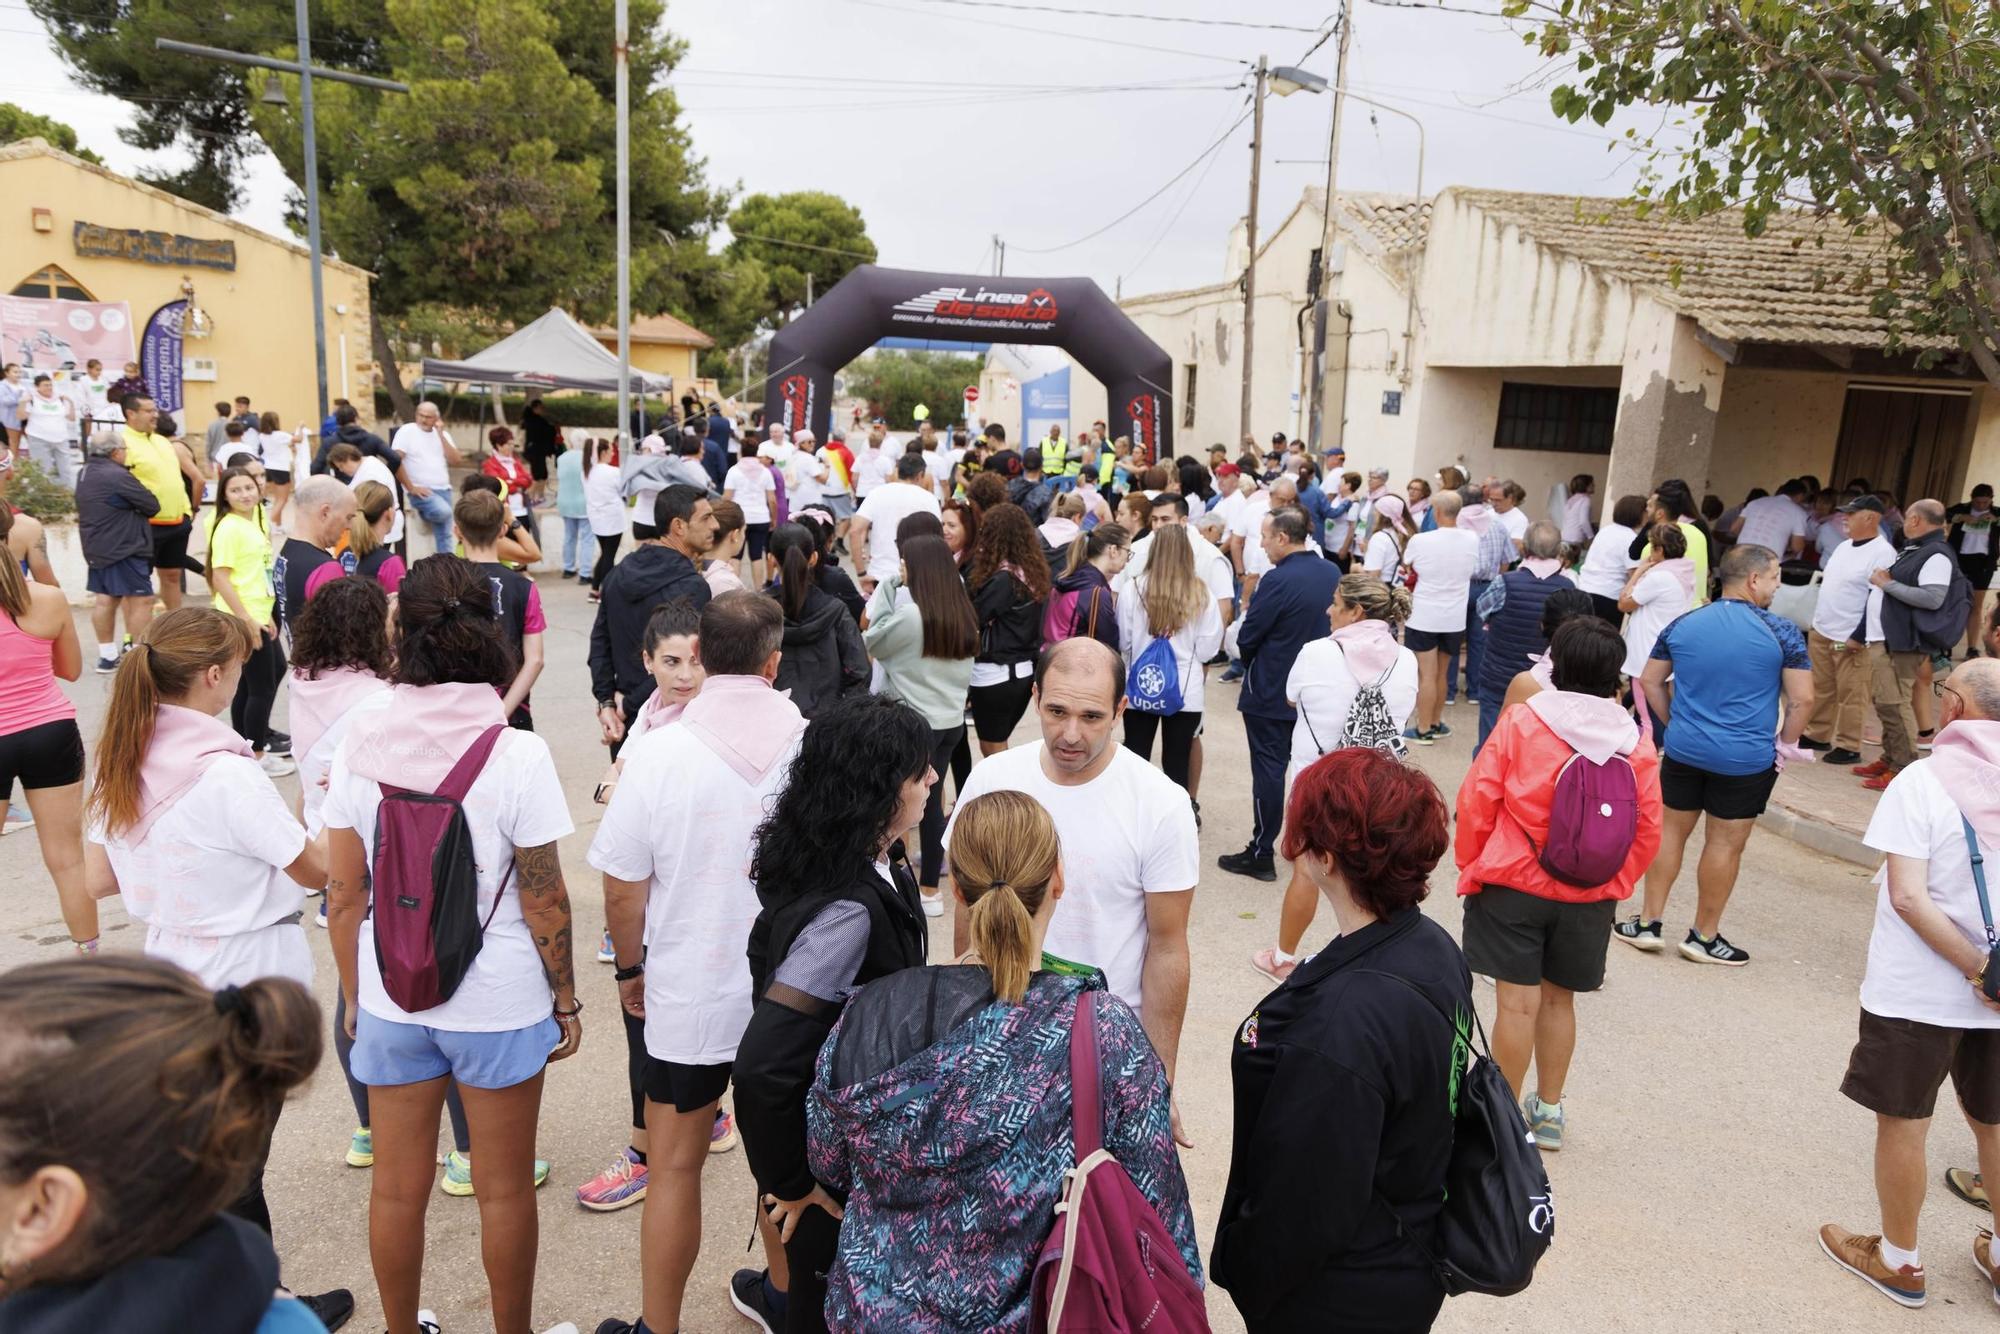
(427, 887)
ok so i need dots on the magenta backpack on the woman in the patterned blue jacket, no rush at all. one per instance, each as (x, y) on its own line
(1109, 1267)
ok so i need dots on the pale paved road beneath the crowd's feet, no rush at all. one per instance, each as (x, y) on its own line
(1707, 1135)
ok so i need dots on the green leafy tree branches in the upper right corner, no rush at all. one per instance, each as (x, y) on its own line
(1877, 115)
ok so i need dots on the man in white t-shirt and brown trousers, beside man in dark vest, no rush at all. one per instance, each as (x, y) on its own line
(1839, 637)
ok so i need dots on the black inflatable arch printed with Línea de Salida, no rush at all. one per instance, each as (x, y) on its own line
(881, 303)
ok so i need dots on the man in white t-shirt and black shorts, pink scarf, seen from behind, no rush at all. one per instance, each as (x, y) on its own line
(675, 851)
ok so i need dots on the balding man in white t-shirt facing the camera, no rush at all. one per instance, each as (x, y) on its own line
(1129, 839)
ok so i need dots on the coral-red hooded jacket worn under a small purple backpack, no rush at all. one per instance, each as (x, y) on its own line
(1505, 801)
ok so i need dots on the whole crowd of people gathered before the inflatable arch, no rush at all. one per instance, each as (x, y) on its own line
(797, 651)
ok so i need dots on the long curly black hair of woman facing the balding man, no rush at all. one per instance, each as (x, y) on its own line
(839, 799)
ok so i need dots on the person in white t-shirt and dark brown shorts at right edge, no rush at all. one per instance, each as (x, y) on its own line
(1923, 1009)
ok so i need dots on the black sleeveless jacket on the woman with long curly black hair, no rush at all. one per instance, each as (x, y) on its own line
(777, 1055)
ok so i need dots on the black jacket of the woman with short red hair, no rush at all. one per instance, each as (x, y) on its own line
(1343, 1087)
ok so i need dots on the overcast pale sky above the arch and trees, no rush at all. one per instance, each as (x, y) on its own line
(949, 123)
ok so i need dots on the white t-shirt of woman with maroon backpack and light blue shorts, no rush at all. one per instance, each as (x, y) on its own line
(515, 803)
